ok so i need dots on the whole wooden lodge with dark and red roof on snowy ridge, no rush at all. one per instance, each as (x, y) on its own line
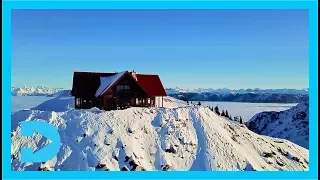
(111, 91)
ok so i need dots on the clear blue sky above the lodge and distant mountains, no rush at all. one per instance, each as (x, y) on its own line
(187, 48)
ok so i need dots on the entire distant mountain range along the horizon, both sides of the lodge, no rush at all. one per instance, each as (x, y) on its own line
(241, 95)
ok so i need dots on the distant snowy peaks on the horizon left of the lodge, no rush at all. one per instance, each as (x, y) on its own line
(33, 91)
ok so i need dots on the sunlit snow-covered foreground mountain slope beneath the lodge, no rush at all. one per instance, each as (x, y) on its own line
(177, 137)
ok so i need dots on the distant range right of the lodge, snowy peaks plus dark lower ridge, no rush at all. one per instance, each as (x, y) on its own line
(241, 95)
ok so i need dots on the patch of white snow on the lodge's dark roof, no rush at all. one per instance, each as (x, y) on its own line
(107, 82)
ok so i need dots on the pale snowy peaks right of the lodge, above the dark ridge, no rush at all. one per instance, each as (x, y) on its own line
(226, 91)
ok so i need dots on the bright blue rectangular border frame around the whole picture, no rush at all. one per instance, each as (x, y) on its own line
(251, 4)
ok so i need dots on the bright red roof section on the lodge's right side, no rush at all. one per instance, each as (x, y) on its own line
(152, 84)
